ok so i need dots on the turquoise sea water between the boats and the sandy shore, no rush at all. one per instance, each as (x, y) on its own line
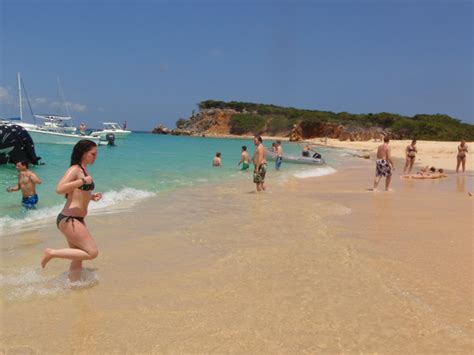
(138, 167)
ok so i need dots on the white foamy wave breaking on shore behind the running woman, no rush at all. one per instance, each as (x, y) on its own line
(42, 216)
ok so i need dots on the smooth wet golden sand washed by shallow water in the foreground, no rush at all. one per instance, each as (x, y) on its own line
(312, 265)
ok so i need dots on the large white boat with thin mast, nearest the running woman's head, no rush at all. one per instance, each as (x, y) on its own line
(53, 131)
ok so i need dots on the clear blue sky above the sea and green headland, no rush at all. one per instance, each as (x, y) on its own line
(151, 62)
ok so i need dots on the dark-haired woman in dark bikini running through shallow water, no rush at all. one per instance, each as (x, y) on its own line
(77, 185)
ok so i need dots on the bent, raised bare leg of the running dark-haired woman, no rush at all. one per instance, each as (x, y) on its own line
(76, 234)
